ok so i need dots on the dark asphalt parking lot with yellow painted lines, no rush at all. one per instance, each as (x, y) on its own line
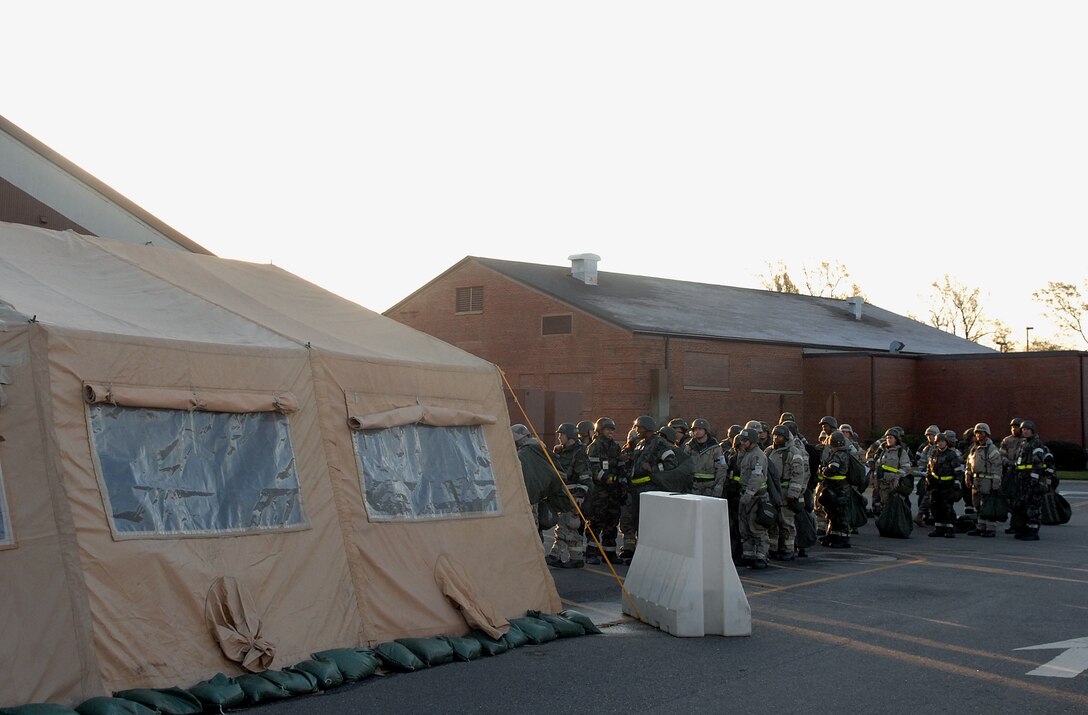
(889, 626)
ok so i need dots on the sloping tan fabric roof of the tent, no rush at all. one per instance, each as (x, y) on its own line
(112, 287)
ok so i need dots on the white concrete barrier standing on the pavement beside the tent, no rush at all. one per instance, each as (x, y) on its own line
(683, 578)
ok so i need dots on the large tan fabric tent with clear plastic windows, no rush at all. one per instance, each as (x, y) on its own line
(192, 442)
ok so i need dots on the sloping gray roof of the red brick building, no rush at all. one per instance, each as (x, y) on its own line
(661, 306)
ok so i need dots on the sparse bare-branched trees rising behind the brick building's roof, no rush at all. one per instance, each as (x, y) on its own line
(955, 307)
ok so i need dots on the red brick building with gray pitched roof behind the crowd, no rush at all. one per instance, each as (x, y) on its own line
(576, 344)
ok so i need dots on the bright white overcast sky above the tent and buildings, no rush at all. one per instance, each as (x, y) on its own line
(370, 146)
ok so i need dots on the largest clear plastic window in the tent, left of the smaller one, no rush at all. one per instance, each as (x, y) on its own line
(180, 473)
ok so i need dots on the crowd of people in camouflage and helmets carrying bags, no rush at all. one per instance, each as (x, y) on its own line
(757, 466)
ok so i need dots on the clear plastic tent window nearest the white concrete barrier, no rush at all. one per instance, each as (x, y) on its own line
(416, 472)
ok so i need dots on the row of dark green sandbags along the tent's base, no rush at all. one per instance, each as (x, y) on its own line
(325, 671)
